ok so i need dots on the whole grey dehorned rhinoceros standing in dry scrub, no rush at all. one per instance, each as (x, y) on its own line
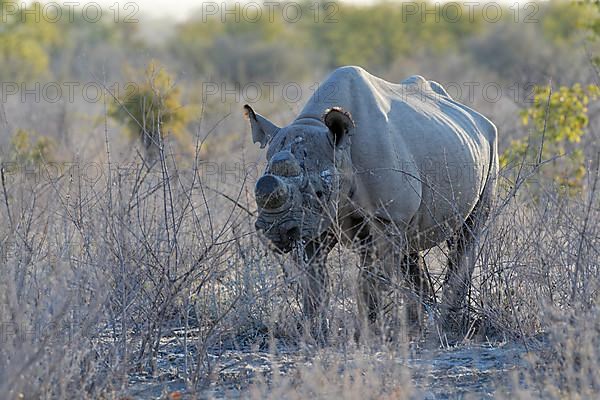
(393, 169)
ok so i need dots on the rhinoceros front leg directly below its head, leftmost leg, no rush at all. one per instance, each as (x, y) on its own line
(315, 285)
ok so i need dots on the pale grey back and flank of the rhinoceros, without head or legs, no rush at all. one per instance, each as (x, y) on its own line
(421, 159)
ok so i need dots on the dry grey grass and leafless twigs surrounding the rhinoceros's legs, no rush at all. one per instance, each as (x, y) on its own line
(96, 275)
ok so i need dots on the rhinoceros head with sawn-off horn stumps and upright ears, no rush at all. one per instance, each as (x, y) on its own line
(307, 172)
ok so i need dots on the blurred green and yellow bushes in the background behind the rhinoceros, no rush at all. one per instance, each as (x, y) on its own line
(194, 75)
